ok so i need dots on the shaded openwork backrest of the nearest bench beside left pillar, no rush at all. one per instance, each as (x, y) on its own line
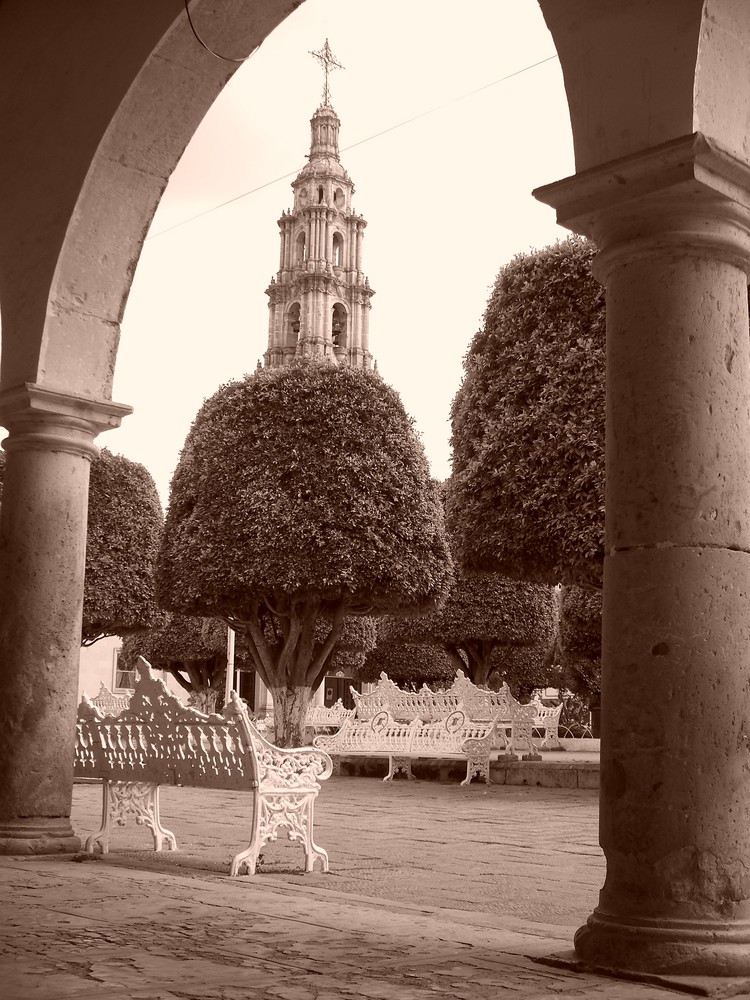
(160, 740)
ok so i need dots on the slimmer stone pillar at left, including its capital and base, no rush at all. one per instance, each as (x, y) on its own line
(42, 560)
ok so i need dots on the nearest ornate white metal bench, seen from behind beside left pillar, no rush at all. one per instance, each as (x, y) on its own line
(159, 741)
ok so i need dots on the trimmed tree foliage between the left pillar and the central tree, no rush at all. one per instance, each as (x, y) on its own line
(125, 521)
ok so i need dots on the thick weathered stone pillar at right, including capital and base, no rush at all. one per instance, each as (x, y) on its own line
(674, 233)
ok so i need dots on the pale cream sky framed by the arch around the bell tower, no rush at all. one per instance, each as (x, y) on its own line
(447, 198)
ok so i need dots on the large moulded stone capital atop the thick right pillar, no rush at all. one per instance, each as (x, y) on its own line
(687, 195)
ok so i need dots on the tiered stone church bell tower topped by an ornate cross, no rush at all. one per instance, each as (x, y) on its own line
(319, 301)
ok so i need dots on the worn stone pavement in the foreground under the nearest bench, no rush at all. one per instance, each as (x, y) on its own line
(435, 892)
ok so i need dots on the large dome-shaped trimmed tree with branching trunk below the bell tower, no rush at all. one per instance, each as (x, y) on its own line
(302, 495)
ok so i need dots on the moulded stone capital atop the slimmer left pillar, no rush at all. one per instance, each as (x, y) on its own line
(47, 419)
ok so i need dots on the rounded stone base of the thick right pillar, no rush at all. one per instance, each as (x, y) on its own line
(675, 947)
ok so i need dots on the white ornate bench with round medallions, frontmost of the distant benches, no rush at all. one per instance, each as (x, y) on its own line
(455, 737)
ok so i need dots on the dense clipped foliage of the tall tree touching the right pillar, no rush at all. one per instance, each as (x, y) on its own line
(528, 424)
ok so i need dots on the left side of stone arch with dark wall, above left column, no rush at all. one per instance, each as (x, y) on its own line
(114, 142)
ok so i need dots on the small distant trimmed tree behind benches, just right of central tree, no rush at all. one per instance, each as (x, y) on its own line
(483, 614)
